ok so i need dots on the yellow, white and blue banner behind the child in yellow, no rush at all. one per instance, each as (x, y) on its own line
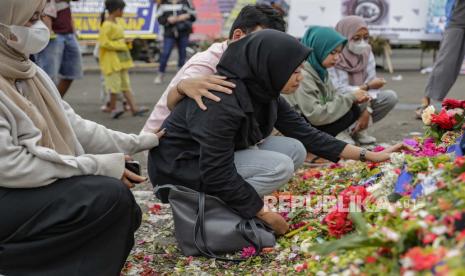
(139, 18)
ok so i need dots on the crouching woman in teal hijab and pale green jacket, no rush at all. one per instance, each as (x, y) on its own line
(317, 99)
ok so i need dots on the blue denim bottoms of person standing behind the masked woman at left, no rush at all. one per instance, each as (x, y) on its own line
(61, 59)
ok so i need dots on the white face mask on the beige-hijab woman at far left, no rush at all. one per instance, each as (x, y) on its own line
(30, 40)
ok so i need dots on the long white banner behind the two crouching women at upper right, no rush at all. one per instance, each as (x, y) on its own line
(397, 20)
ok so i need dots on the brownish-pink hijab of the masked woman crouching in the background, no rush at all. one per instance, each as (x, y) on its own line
(354, 65)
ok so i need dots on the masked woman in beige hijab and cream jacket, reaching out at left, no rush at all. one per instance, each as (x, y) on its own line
(65, 206)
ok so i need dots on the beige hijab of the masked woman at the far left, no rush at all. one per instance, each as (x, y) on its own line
(37, 102)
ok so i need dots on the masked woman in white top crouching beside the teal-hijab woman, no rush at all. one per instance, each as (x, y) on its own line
(355, 70)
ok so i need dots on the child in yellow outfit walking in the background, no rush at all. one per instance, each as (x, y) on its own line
(115, 59)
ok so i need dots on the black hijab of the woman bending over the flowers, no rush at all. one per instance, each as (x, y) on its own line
(261, 64)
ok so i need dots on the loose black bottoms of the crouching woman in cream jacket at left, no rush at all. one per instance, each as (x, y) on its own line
(77, 226)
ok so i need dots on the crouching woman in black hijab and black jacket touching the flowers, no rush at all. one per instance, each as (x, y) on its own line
(225, 151)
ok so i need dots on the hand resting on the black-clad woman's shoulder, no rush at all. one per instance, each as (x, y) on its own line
(196, 88)
